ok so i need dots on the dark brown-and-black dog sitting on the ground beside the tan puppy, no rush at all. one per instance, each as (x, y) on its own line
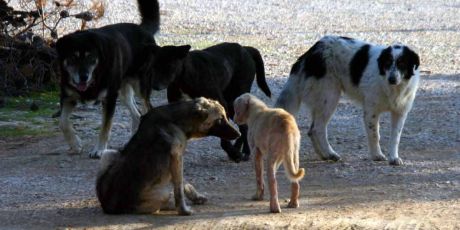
(137, 179)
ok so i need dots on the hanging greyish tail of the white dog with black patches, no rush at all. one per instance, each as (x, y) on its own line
(291, 96)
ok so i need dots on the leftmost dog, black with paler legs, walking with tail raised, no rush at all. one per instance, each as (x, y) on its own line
(100, 64)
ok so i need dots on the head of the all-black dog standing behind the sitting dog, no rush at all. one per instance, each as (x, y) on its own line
(164, 64)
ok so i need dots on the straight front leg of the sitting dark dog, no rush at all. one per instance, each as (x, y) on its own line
(176, 168)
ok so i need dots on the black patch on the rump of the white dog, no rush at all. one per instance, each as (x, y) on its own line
(313, 60)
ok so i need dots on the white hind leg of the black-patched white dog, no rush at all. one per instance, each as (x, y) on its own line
(323, 104)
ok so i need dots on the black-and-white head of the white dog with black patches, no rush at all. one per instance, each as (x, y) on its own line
(398, 63)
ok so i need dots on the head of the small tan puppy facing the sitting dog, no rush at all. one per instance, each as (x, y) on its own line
(242, 105)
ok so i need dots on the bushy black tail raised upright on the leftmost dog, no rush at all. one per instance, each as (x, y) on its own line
(150, 14)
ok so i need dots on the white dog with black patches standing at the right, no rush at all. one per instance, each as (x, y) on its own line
(379, 78)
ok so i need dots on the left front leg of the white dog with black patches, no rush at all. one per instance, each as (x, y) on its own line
(371, 122)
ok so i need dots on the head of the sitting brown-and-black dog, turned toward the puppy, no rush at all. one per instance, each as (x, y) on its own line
(212, 120)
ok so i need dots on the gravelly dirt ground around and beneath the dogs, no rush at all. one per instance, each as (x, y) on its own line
(43, 187)
